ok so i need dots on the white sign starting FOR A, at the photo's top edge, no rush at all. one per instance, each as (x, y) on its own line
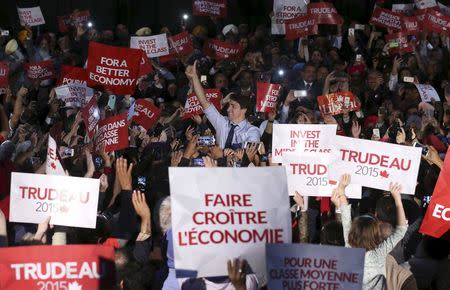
(286, 9)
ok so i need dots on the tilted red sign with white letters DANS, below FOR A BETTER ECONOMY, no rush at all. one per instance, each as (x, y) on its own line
(112, 133)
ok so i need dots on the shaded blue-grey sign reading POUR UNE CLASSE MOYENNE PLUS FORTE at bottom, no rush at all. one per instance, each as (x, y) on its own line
(308, 266)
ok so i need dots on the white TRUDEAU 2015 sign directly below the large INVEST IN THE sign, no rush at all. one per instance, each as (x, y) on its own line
(308, 174)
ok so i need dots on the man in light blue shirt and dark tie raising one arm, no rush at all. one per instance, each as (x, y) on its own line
(233, 129)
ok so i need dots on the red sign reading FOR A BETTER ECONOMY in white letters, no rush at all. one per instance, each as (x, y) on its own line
(113, 68)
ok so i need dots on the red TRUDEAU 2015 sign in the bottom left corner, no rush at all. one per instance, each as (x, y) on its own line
(57, 267)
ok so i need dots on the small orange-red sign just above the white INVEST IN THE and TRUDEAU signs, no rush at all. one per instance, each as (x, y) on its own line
(335, 103)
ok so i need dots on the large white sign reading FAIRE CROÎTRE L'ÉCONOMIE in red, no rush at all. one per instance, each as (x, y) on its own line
(222, 213)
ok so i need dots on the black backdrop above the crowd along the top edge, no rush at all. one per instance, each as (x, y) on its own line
(157, 13)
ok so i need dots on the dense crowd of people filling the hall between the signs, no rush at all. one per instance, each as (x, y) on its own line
(134, 213)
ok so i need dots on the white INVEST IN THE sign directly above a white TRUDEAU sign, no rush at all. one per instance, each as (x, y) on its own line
(301, 138)
